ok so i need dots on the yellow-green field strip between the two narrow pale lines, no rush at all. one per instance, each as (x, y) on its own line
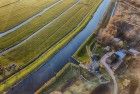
(35, 25)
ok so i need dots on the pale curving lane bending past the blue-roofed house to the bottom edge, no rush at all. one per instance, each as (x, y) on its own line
(109, 70)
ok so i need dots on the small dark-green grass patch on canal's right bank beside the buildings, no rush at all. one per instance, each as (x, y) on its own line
(81, 54)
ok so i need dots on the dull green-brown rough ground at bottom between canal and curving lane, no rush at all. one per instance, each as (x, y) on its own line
(70, 79)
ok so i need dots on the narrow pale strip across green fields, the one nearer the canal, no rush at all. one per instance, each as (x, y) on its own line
(39, 30)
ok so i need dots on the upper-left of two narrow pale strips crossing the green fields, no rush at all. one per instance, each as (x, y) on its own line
(27, 21)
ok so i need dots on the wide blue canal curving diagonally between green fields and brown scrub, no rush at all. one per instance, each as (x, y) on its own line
(36, 79)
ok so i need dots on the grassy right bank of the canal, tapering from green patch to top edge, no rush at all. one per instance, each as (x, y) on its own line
(81, 54)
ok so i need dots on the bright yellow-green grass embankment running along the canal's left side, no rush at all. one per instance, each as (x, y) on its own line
(18, 76)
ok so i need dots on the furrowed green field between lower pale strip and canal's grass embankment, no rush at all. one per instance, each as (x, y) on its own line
(47, 37)
